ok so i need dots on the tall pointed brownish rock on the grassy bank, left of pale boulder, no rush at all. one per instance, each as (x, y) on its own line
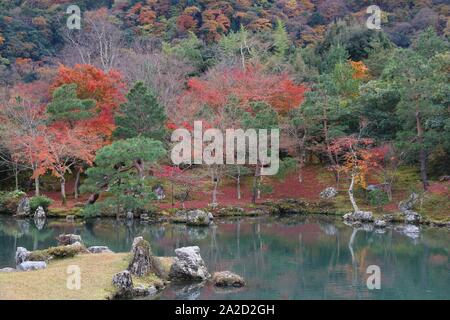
(143, 261)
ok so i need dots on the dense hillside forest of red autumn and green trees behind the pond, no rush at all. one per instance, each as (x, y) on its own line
(95, 107)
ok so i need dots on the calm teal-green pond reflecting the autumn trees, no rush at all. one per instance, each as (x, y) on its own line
(299, 257)
